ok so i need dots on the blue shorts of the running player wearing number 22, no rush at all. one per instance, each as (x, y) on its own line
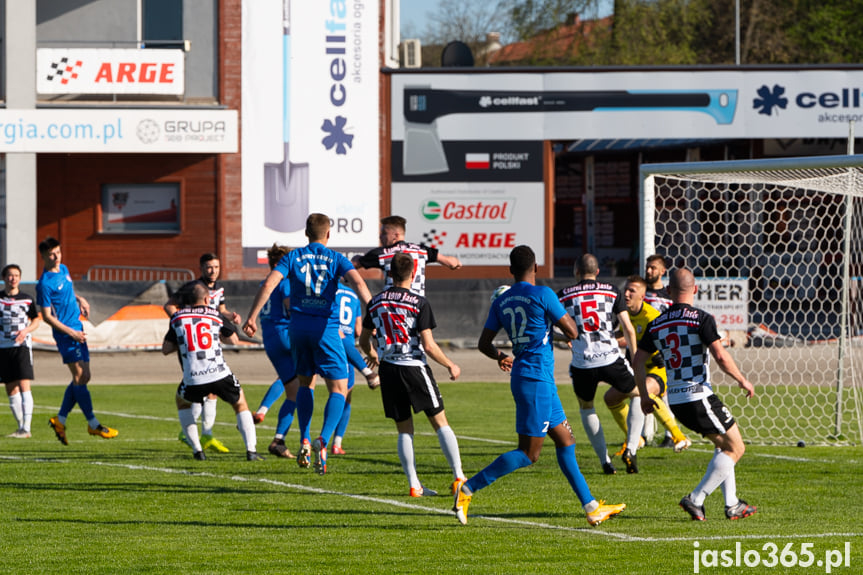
(537, 407)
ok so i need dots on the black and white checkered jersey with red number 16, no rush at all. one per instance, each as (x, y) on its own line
(196, 332)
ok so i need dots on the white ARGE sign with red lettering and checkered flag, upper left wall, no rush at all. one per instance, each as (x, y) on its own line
(104, 71)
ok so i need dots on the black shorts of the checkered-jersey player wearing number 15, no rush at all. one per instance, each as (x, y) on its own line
(408, 386)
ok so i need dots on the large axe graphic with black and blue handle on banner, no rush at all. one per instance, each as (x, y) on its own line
(424, 153)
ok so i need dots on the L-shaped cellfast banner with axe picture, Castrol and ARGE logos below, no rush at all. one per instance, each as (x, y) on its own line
(470, 138)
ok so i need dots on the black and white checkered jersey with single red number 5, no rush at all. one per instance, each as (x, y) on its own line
(594, 305)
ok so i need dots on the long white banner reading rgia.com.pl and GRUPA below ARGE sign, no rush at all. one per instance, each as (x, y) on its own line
(119, 131)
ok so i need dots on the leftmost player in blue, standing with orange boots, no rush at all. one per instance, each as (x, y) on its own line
(62, 309)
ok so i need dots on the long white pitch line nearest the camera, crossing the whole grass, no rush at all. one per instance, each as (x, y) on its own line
(415, 507)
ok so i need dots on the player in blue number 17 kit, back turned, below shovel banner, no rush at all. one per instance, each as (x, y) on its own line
(314, 272)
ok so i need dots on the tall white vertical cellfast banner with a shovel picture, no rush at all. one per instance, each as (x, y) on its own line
(310, 122)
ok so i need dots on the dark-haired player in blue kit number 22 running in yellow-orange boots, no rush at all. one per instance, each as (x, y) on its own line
(527, 312)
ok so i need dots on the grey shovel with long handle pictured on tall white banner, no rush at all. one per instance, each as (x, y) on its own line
(286, 185)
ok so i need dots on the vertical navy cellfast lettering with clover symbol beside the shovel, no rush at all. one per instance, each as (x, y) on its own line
(335, 46)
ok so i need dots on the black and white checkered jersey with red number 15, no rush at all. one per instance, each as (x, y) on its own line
(399, 315)
